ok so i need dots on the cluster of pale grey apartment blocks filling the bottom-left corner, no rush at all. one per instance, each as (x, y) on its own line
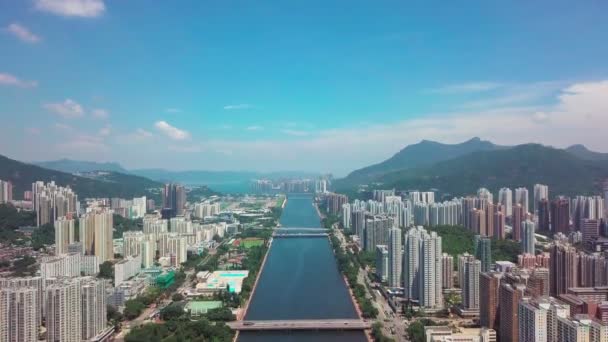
(73, 307)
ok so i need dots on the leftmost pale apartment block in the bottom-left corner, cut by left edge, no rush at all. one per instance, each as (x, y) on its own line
(19, 310)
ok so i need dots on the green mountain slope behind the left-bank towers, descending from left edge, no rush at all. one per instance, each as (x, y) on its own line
(93, 184)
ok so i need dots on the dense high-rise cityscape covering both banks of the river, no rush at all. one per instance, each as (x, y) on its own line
(519, 266)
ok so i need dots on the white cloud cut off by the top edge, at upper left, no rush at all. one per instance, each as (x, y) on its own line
(72, 8)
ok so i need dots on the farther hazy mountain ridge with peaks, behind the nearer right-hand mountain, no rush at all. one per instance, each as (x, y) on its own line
(421, 154)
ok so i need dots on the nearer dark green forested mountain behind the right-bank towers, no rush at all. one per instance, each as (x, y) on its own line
(522, 165)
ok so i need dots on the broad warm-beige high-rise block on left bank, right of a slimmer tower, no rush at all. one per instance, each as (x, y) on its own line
(96, 230)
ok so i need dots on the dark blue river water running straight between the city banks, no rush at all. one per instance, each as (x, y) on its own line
(301, 280)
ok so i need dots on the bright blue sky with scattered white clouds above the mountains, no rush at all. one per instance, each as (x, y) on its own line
(307, 85)
